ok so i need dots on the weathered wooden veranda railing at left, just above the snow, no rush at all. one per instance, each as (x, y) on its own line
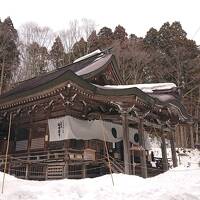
(44, 165)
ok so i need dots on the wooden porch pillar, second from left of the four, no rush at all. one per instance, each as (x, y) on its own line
(142, 151)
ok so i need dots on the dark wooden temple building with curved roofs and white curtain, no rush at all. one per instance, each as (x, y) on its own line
(57, 125)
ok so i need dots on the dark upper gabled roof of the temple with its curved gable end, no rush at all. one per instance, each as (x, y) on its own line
(86, 68)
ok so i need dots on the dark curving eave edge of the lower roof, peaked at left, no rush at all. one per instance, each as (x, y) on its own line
(70, 76)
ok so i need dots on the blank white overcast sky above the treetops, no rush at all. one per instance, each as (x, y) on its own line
(137, 16)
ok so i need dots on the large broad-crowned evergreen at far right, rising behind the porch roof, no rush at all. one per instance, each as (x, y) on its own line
(174, 52)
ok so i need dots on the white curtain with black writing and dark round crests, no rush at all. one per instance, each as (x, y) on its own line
(71, 128)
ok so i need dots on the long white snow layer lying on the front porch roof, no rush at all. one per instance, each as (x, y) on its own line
(147, 88)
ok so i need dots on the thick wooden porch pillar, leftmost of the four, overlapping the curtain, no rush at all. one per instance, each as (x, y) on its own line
(126, 144)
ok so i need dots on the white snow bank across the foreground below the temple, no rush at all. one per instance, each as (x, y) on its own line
(176, 184)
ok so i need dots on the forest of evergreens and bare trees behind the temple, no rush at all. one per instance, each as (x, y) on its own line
(163, 55)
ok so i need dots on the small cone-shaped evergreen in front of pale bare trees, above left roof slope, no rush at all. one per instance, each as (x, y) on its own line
(57, 53)
